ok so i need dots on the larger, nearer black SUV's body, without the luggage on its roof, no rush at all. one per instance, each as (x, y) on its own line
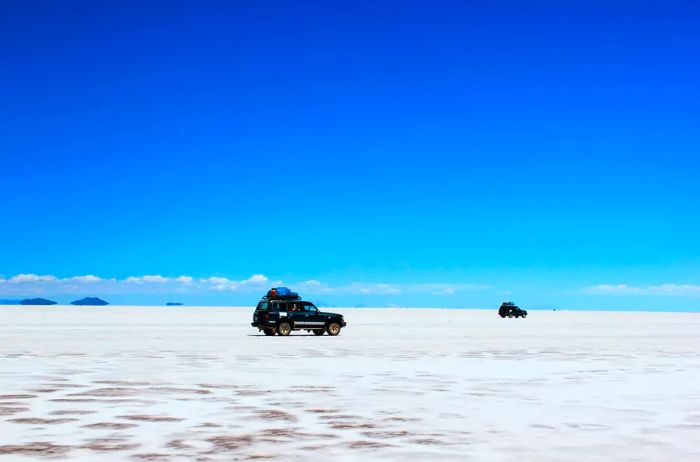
(283, 316)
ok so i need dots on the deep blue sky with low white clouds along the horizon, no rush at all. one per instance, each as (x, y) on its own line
(370, 153)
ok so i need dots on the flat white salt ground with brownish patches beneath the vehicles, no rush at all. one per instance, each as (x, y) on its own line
(187, 384)
